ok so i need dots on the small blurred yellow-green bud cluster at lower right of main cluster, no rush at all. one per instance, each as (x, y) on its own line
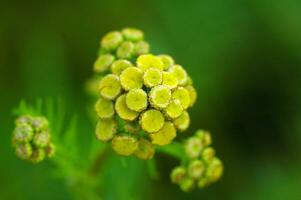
(202, 168)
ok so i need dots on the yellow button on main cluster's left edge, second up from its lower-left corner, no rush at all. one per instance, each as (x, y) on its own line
(104, 108)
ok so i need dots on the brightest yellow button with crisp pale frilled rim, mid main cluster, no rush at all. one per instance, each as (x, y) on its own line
(160, 96)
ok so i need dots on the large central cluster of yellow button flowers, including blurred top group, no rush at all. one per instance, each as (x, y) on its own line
(143, 98)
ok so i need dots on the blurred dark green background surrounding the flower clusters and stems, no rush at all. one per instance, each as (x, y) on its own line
(244, 58)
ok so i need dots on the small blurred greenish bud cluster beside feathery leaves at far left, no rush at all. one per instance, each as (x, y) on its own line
(32, 139)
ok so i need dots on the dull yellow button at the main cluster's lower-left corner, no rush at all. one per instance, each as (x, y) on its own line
(105, 129)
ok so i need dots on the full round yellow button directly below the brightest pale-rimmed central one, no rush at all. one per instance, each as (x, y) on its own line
(152, 121)
